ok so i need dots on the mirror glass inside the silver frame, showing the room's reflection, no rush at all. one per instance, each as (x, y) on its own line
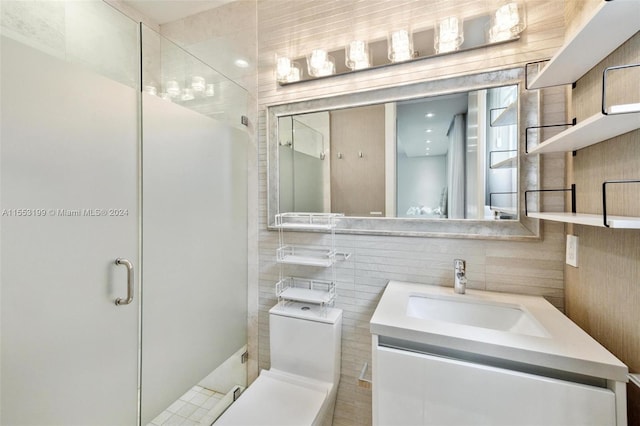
(450, 156)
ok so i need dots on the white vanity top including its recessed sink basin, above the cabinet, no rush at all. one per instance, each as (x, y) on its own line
(521, 329)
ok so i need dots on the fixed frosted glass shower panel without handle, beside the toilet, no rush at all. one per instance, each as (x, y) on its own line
(194, 236)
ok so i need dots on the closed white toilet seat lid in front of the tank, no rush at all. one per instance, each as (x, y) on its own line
(277, 398)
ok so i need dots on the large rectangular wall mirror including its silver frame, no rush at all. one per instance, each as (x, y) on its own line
(439, 157)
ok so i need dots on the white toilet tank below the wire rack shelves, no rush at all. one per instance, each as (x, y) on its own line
(305, 339)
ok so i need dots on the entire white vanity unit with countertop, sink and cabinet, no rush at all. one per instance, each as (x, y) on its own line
(480, 365)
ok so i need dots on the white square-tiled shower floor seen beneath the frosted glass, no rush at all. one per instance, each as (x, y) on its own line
(191, 409)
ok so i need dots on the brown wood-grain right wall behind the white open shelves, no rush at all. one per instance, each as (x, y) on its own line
(603, 292)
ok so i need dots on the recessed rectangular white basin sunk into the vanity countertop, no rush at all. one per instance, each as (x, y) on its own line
(476, 313)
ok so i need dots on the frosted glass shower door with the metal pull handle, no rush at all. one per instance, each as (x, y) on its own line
(69, 166)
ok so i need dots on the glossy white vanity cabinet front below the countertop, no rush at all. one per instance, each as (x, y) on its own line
(413, 388)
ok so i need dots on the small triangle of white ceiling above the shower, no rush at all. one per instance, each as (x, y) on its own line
(163, 11)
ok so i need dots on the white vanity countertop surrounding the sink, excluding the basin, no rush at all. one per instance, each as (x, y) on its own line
(562, 346)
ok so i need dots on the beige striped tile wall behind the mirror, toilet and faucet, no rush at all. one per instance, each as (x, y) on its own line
(294, 27)
